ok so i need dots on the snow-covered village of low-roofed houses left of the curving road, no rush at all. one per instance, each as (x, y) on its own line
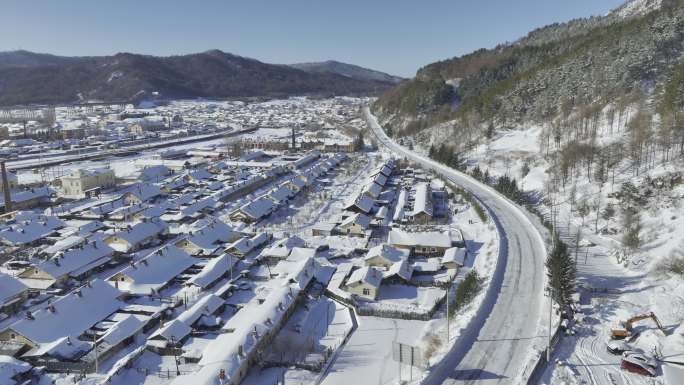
(281, 253)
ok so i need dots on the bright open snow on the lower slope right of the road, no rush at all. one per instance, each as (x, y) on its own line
(634, 282)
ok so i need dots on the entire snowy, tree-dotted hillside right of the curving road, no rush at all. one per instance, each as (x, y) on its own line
(581, 122)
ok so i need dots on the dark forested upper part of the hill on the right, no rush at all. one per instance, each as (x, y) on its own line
(633, 54)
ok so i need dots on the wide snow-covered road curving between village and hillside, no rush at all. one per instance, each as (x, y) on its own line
(495, 346)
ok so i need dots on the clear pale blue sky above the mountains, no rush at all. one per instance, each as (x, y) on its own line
(395, 36)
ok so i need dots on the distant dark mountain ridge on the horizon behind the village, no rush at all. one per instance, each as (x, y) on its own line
(27, 77)
